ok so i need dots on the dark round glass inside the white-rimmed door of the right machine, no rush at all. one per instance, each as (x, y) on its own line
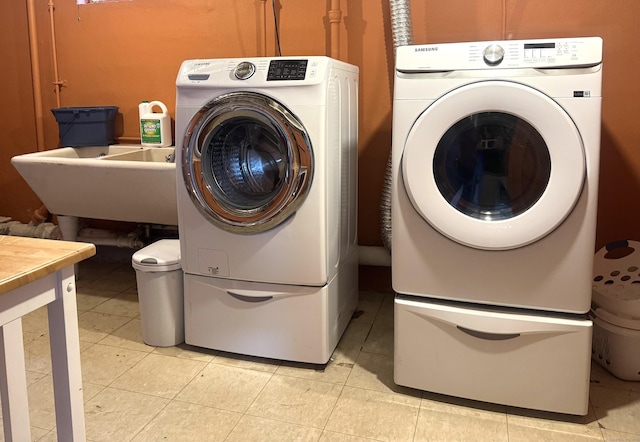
(492, 166)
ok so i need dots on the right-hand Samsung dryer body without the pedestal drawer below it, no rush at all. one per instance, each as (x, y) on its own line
(495, 162)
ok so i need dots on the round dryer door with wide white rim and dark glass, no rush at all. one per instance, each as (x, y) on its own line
(494, 165)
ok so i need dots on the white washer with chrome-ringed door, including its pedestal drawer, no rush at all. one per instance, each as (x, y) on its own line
(266, 152)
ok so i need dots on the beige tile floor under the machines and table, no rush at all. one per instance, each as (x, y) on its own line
(134, 392)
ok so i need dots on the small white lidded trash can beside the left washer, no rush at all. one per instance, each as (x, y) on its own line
(160, 292)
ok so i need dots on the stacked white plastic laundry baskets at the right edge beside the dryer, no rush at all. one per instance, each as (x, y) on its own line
(616, 309)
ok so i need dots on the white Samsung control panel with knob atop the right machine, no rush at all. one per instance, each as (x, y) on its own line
(508, 54)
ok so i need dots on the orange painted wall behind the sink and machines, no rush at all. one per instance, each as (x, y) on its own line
(120, 53)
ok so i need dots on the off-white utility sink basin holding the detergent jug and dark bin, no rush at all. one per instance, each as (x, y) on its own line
(117, 182)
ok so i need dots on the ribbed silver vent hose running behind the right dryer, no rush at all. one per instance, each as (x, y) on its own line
(402, 36)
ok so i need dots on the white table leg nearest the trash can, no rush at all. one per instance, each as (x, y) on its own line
(65, 359)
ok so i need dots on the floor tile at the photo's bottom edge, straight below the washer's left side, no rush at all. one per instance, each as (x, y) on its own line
(180, 421)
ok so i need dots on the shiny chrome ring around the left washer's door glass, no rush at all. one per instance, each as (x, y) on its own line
(299, 170)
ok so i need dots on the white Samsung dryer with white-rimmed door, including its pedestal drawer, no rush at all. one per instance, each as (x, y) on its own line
(495, 185)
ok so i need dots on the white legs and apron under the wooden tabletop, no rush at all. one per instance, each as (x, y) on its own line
(57, 291)
